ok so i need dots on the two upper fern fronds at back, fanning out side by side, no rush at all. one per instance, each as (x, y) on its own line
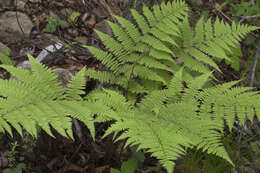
(142, 57)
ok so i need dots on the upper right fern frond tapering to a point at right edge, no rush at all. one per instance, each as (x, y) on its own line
(210, 40)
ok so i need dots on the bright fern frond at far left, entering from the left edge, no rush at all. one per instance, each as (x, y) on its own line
(35, 98)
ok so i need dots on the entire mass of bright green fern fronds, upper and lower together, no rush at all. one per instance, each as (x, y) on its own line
(173, 114)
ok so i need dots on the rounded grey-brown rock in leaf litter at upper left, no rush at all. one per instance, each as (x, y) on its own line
(10, 30)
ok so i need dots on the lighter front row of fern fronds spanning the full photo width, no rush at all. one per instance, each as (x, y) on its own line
(163, 123)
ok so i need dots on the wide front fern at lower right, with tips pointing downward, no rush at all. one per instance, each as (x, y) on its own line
(167, 121)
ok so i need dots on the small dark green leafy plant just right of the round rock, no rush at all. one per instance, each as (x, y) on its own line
(54, 23)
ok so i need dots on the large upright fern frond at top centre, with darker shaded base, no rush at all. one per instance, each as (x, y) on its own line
(140, 56)
